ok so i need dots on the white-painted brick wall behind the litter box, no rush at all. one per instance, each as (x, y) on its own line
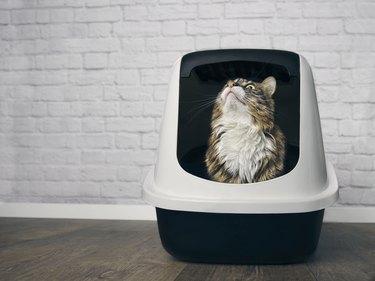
(82, 86)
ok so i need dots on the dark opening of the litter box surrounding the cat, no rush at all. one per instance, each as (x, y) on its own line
(203, 75)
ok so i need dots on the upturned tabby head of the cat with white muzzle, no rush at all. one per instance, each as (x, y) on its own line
(244, 99)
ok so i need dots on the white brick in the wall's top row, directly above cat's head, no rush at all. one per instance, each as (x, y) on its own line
(243, 10)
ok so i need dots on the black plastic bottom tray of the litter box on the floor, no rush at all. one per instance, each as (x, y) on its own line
(239, 238)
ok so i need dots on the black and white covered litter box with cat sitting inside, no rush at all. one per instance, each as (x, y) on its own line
(271, 220)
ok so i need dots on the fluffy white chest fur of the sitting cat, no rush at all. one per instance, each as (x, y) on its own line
(242, 146)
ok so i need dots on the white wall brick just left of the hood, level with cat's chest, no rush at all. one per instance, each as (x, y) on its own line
(130, 124)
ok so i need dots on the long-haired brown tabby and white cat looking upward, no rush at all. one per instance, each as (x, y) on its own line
(245, 144)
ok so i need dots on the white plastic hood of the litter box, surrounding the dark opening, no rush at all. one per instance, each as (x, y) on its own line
(311, 185)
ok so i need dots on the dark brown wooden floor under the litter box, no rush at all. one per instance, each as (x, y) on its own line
(45, 249)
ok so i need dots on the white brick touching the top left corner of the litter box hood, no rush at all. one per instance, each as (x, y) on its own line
(170, 44)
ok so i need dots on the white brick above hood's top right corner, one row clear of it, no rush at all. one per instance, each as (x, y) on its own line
(290, 27)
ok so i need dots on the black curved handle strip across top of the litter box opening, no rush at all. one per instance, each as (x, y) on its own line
(287, 59)
